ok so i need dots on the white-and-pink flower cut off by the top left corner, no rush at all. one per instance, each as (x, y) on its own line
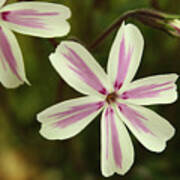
(31, 18)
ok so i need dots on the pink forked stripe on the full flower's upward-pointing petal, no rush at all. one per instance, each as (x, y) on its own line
(123, 64)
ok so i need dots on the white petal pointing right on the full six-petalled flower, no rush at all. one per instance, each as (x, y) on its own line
(151, 90)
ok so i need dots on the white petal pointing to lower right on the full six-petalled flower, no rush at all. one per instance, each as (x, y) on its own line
(149, 128)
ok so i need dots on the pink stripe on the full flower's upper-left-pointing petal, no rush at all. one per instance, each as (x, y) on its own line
(83, 71)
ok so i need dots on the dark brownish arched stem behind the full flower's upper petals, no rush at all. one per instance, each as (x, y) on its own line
(134, 13)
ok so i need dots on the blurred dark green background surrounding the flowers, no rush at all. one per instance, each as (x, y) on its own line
(25, 155)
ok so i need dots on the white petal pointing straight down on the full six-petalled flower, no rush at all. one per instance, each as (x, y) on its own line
(117, 153)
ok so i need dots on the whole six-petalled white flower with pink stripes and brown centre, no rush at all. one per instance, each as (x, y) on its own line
(115, 95)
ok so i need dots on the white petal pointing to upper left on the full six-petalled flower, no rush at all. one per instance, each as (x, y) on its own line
(79, 69)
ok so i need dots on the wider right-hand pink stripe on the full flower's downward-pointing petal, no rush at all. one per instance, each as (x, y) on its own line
(115, 140)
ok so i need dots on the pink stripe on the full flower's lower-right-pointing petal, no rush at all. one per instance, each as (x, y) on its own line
(134, 117)
